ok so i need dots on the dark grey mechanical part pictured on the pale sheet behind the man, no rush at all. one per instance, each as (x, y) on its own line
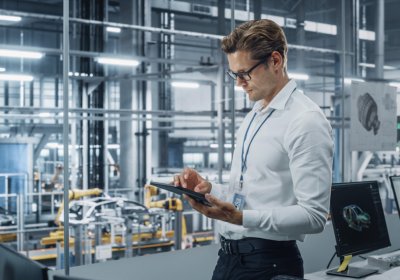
(368, 112)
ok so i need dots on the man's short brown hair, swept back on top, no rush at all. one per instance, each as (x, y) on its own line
(259, 37)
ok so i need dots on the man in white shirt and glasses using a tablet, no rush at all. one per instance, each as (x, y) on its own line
(280, 179)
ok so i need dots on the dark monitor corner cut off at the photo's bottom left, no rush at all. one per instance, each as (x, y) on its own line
(15, 266)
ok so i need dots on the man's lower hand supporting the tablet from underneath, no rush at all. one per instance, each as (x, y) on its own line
(219, 210)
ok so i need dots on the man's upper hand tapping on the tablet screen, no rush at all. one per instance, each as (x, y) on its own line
(191, 179)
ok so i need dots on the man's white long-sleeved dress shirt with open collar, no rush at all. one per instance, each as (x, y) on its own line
(287, 181)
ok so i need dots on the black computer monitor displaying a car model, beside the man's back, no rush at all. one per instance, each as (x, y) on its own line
(358, 222)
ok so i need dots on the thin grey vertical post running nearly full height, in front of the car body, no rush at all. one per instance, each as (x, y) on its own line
(66, 131)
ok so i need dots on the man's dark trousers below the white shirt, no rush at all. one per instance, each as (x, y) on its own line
(263, 262)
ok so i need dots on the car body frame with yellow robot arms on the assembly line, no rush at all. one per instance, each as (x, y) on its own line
(123, 223)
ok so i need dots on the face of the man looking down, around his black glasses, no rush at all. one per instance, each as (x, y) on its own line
(262, 81)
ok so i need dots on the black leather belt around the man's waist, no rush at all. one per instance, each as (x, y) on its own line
(251, 244)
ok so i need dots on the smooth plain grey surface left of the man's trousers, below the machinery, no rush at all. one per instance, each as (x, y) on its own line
(195, 264)
